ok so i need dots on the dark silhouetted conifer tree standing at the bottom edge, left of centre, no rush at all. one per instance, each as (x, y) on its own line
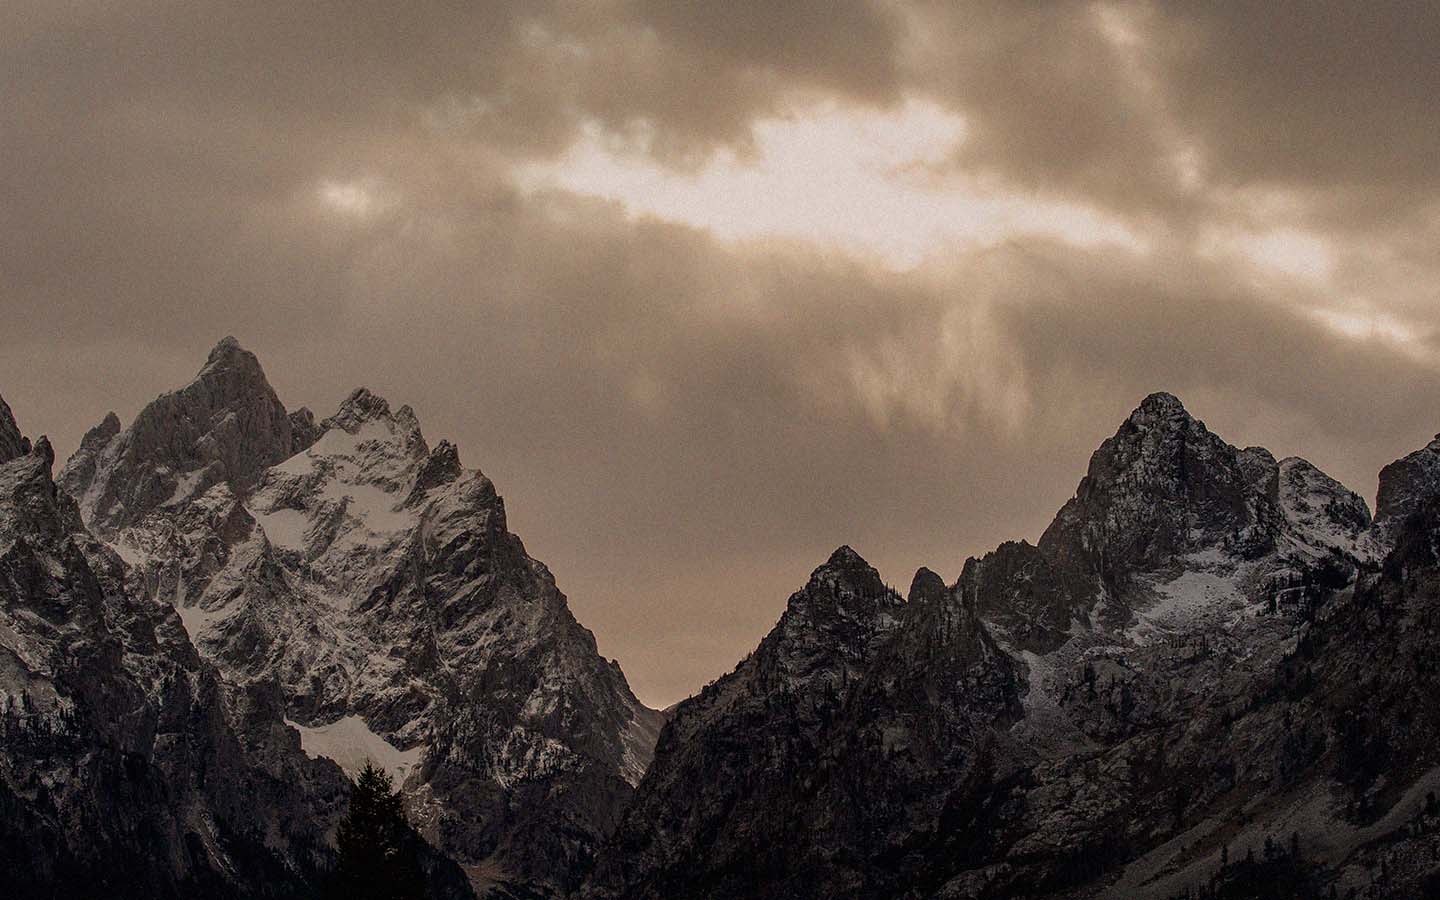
(377, 847)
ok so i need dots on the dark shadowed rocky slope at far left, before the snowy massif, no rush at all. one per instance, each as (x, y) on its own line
(126, 767)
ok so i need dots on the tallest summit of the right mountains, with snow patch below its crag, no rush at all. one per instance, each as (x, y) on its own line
(1164, 496)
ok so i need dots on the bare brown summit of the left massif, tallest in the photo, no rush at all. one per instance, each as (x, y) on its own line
(224, 427)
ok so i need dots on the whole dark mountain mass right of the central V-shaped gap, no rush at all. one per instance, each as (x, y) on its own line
(1213, 673)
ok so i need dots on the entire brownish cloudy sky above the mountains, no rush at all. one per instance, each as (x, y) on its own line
(711, 289)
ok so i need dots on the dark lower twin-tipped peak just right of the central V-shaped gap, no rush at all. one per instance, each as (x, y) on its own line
(832, 754)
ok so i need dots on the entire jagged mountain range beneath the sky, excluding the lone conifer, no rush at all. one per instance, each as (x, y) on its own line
(1215, 675)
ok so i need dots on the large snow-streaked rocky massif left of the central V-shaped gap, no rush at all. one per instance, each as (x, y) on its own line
(375, 582)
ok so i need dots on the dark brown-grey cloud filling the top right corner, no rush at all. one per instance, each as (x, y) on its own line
(1336, 99)
